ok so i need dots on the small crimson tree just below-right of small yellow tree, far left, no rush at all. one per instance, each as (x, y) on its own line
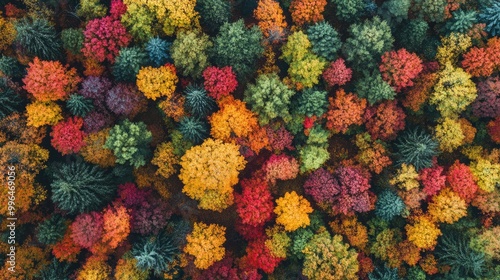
(67, 136)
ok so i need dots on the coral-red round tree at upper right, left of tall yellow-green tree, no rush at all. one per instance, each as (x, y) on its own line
(399, 68)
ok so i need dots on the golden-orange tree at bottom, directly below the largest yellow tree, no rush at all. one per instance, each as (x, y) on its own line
(205, 244)
